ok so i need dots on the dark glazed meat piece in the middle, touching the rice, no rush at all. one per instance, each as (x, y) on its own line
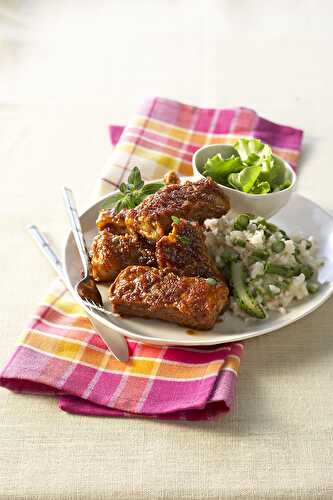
(185, 253)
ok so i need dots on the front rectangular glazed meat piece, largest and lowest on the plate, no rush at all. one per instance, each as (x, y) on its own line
(152, 293)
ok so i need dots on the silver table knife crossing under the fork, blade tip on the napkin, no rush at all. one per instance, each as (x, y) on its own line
(115, 341)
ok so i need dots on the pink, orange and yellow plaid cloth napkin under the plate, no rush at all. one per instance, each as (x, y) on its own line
(61, 354)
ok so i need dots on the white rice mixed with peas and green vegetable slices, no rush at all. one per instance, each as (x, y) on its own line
(267, 268)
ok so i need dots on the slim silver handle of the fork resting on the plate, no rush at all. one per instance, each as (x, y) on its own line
(75, 223)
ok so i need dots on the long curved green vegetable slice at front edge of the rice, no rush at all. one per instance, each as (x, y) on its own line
(241, 293)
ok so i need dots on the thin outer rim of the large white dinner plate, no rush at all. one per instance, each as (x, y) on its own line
(192, 342)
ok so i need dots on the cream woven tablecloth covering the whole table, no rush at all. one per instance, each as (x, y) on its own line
(67, 69)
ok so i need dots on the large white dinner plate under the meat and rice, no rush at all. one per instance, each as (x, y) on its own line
(300, 214)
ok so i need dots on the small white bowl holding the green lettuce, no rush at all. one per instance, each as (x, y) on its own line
(264, 205)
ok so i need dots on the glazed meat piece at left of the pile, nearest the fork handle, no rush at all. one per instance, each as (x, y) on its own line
(111, 253)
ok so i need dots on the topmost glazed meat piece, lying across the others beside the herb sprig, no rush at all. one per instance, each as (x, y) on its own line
(195, 201)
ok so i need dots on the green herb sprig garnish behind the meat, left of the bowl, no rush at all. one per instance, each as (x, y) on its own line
(132, 192)
